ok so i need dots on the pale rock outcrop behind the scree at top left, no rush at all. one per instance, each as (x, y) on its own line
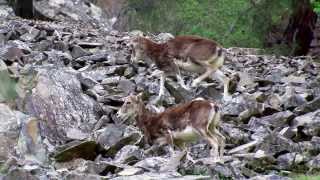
(61, 10)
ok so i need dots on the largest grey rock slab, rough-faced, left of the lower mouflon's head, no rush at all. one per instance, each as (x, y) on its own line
(57, 100)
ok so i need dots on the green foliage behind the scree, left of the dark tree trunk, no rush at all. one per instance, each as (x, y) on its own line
(230, 22)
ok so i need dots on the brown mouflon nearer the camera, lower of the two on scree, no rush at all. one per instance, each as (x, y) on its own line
(177, 125)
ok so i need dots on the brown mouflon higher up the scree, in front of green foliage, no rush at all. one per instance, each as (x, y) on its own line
(188, 53)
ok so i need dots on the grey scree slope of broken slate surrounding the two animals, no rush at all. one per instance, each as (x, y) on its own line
(70, 79)
